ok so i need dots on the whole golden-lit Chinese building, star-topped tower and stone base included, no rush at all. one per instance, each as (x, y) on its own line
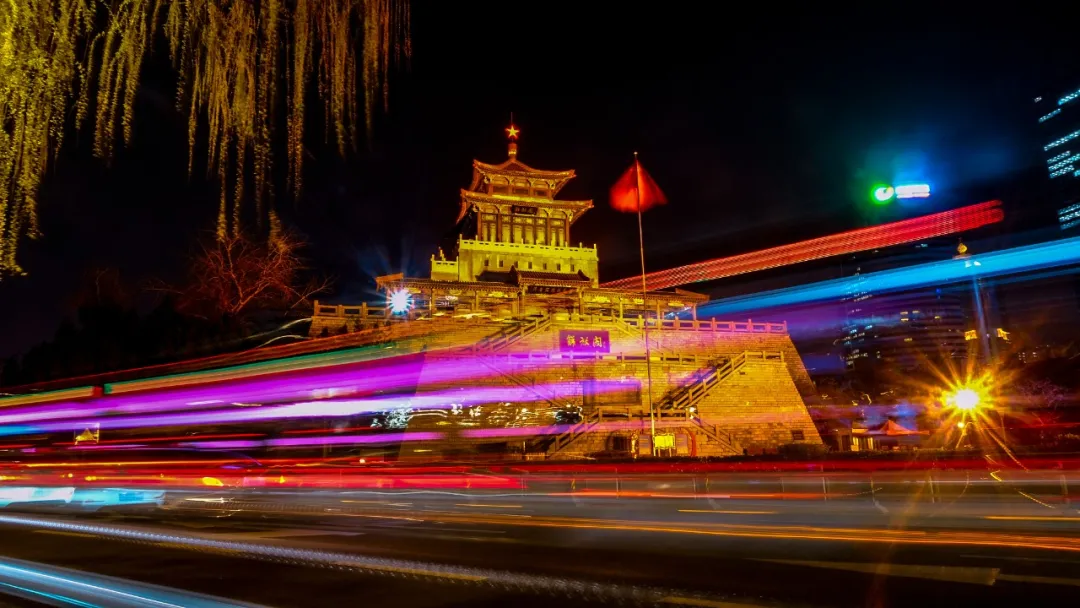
(515, 313)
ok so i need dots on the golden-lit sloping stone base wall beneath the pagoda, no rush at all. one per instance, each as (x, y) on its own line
(759, 407)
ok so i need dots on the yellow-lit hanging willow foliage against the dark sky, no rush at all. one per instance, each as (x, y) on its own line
(236, 62)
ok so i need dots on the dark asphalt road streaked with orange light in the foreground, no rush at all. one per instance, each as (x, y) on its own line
(450, 551)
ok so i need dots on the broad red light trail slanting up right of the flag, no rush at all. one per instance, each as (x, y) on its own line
(861, 240)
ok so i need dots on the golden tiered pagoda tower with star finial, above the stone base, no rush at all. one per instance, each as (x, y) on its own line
(515, 254)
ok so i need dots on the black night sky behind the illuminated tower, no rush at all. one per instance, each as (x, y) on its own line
(760, 133)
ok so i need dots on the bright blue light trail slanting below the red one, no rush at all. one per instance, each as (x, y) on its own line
(1008, 262)
